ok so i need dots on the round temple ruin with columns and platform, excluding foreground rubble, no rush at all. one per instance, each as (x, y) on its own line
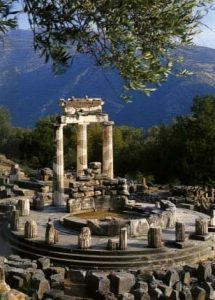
(93, 220)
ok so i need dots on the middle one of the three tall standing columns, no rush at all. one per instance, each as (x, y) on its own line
(81, 148)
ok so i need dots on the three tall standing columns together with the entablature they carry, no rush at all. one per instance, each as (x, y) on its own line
(81, 112)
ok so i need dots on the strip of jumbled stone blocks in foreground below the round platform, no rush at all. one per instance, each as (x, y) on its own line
(39, 279)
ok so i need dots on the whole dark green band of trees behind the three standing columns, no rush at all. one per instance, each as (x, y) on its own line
(181, 152)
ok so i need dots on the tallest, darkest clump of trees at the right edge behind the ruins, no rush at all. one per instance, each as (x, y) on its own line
(184, 151)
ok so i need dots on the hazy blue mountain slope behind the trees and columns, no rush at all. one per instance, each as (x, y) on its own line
(30, 90)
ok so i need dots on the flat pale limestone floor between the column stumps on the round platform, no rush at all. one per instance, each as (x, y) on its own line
(68, 237)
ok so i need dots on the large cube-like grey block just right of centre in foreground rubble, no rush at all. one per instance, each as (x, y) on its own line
(121, 282)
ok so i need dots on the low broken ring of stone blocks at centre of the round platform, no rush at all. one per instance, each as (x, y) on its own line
(136, 226)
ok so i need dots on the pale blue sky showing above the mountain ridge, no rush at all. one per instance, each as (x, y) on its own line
(205, 38)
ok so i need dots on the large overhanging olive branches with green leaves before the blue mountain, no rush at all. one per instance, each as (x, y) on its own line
(134, 36)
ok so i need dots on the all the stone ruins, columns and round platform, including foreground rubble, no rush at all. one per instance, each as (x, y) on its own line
(118, 239)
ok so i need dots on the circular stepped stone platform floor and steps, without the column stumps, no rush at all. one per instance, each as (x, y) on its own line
(137, 254)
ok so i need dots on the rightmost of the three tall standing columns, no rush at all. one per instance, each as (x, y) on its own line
(107, 166)
